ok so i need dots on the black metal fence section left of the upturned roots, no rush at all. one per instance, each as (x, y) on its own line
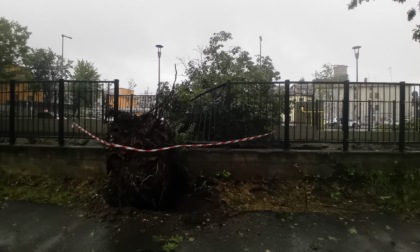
(48, 109)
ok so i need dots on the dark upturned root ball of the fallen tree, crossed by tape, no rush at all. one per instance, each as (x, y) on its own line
(138, 179)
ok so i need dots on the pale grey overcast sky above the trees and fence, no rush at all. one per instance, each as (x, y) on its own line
(119, 37)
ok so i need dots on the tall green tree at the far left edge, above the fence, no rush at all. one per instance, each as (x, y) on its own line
(13, 48)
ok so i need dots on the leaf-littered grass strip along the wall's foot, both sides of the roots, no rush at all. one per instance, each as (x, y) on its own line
(349, 190)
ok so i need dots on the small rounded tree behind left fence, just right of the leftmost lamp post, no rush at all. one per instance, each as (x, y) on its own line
(85, 91)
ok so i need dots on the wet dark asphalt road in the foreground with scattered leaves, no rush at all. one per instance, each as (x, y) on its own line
(35, 227)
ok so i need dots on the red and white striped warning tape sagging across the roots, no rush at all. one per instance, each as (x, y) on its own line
(169, 147)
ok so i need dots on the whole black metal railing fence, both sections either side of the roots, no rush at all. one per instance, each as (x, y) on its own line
(341, 113)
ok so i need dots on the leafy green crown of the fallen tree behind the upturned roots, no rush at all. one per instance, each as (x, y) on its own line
(236, 104)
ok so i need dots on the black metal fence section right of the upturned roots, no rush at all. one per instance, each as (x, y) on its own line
(329, 112)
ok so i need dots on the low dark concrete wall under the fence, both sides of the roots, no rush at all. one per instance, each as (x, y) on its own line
(241, 163)
